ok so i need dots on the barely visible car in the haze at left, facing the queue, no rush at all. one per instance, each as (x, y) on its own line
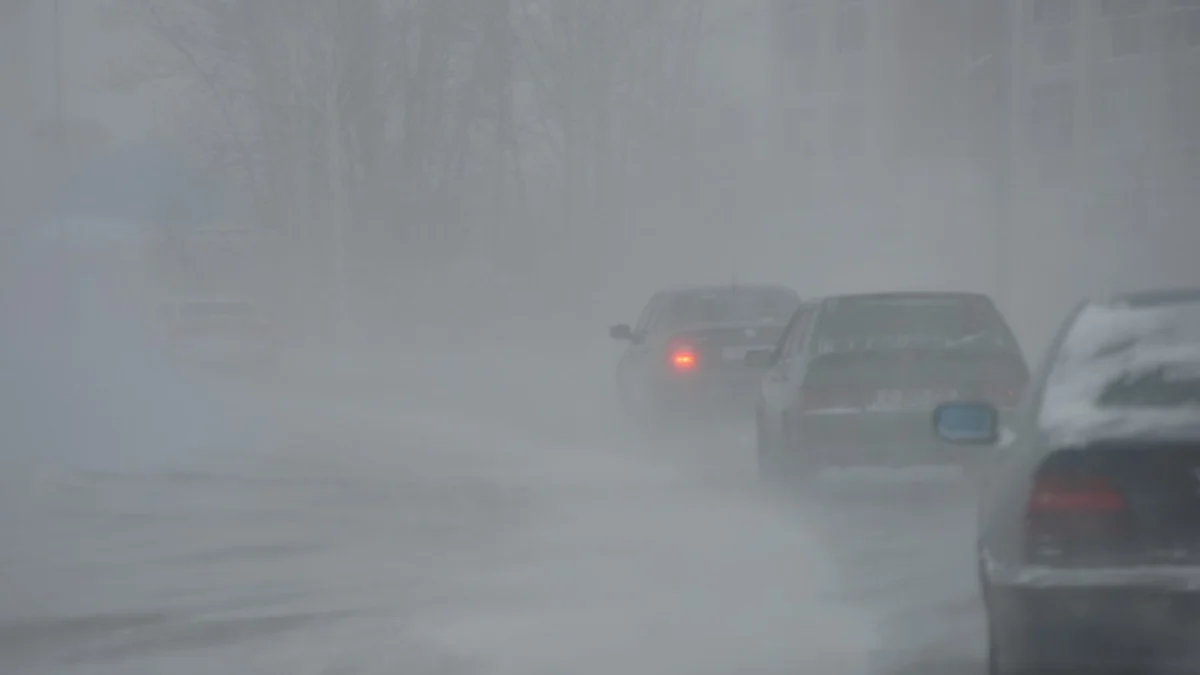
(221, 332)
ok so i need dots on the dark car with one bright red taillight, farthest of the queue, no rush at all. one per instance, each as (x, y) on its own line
(685, 359)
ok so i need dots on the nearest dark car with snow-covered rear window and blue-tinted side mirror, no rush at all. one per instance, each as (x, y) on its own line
(1089, 522)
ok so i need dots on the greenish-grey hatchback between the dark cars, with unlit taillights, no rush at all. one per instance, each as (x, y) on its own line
(854, 380)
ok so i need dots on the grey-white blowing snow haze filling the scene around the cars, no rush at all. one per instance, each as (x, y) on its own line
(443, 207)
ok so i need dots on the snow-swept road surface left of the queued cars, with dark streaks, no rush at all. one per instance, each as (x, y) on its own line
(481, 515)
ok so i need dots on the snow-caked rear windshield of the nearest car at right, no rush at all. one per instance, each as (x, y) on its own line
(1123, 357)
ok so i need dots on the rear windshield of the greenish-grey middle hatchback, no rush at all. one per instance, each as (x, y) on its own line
(899, 322)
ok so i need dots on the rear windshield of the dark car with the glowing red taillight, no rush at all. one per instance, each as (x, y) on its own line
(733, 306)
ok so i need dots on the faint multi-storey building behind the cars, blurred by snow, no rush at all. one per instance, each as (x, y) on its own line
(1078, 117)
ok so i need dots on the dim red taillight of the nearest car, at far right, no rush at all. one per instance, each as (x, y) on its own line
(1073, 517)
